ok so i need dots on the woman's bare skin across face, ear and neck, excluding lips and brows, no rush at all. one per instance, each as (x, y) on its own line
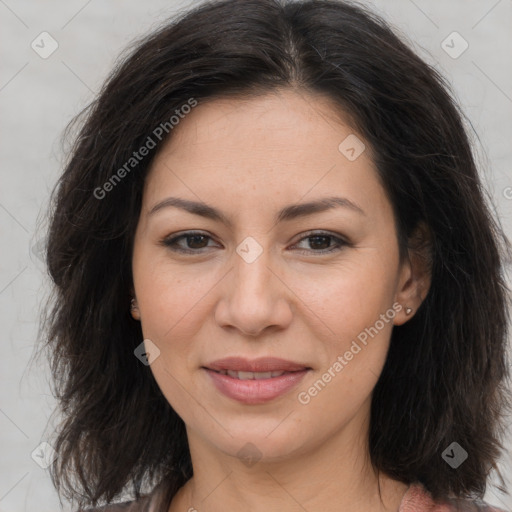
(249, 158)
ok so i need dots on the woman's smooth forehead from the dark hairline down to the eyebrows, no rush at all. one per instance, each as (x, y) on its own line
(282, 145)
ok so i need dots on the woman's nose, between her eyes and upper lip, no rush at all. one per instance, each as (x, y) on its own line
(254, 298)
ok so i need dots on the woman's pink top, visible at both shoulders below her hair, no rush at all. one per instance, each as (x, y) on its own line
(416, 499)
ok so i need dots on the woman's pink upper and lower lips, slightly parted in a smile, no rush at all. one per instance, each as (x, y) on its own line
(257, 391)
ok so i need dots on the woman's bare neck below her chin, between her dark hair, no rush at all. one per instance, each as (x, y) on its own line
(333, 475)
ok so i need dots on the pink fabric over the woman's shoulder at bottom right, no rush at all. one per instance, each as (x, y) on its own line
(418, 499)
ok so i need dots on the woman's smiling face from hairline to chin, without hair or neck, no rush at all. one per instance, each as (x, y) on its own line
(292, 266)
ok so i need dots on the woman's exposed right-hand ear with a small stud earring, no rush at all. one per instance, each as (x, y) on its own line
(415, 274)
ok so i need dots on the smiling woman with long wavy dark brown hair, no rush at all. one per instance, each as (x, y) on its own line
(278, 285)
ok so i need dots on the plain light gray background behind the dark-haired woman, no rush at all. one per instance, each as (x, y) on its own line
(39, 96)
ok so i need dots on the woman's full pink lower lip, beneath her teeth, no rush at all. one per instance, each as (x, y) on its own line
(257, 391)
